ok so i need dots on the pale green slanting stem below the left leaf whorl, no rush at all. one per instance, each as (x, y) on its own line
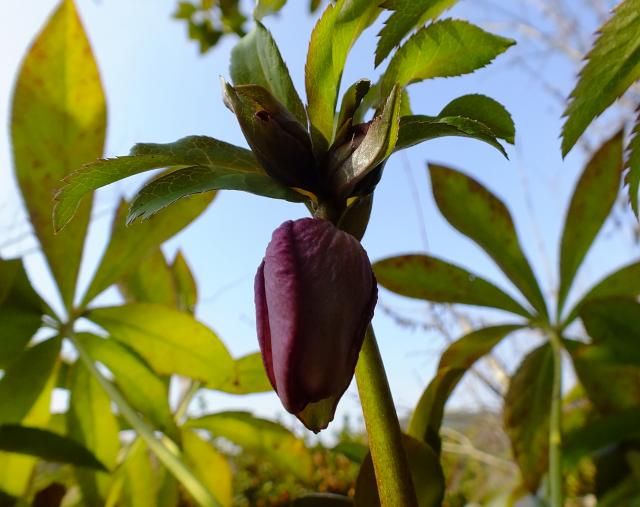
(169, 455)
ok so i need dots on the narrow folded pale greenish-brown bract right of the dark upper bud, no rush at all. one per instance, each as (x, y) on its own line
(375, 148)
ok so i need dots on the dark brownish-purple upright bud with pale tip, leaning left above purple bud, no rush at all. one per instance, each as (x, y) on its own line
(280, 143)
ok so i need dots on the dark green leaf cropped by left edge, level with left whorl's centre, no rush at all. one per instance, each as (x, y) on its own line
(20, 311)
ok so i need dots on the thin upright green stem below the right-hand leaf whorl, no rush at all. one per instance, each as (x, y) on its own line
(556, 480)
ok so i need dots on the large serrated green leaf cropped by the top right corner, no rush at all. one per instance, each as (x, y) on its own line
(613, 65)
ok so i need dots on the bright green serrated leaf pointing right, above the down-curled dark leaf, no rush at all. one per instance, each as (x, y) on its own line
(443, 49)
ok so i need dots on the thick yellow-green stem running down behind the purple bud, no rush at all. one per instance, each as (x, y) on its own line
(393, 477)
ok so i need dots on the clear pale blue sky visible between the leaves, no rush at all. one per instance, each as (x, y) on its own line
(160, 89)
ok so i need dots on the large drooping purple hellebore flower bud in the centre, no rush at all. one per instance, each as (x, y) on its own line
(315, 293)
